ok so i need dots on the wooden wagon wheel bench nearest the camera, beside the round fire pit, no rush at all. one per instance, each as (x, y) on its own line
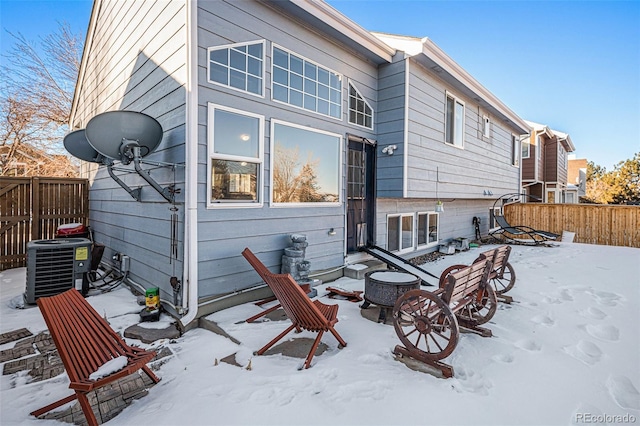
(428, 323)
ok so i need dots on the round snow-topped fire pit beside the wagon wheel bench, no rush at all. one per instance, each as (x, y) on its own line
(383, 288)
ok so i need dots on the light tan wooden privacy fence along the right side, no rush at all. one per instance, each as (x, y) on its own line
(592, 223)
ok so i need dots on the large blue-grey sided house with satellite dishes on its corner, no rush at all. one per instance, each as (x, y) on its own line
(285, 117)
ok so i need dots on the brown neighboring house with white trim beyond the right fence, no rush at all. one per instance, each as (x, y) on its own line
(545, 154)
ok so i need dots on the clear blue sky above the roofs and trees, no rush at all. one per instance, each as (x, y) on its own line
(572, 65)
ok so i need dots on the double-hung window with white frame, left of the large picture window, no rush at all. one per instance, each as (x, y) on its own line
(235, 157)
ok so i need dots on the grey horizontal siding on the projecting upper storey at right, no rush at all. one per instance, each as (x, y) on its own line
(484, 164)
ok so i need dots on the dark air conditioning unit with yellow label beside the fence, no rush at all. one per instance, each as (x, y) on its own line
(55, 266)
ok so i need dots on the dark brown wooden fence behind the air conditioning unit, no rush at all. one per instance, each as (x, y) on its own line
(32, 208)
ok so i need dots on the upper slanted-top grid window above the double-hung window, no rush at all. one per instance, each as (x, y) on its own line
(239, 66)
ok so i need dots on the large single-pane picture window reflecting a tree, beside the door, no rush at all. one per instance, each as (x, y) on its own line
(305, 165)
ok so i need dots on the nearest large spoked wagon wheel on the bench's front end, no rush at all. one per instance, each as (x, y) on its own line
(425, 325)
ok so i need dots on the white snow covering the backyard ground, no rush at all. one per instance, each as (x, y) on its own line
(567, 351)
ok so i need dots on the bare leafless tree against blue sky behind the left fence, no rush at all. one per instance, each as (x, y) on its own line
(36, 94)
